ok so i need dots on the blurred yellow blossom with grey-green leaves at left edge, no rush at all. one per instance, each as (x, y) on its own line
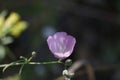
(10, 27)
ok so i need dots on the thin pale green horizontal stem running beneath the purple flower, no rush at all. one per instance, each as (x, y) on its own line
(32, 63)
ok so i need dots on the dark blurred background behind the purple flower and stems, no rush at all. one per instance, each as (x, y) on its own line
(94, 23)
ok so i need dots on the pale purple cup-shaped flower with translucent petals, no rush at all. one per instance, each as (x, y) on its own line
(61, 44)
